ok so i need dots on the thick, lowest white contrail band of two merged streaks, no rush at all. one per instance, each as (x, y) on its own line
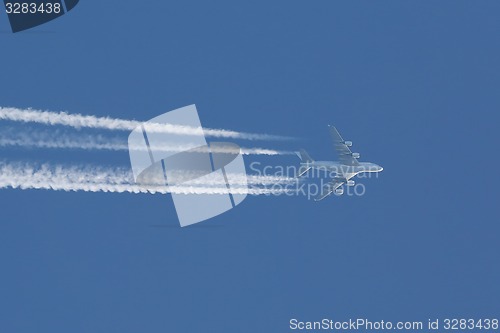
(97, 179)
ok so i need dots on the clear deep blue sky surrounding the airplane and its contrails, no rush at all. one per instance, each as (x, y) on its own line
(414, 85)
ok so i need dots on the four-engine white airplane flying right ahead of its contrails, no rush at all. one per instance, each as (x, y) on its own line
(346, 168)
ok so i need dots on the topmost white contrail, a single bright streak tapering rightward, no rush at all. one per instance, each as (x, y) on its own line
(78, 121)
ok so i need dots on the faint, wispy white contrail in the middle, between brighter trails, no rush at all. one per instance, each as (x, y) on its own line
(98, 142)
